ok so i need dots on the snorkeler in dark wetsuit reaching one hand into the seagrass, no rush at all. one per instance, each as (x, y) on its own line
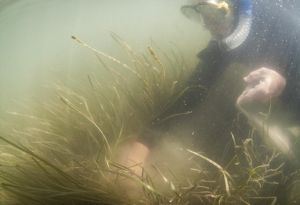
(261, 35)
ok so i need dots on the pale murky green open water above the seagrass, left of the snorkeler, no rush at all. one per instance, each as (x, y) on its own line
(35, 37)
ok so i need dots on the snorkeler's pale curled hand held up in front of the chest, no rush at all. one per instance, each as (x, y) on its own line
(262, 85)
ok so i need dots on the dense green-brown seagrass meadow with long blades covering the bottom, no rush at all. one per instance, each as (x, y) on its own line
(66, 151)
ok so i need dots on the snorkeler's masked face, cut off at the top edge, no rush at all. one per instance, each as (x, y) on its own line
(218, 16)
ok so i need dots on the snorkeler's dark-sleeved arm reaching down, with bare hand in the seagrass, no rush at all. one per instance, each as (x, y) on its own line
(209, 67)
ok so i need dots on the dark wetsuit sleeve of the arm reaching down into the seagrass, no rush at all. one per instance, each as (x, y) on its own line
(211, 62)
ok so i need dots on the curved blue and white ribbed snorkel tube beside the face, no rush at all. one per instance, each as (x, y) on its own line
(242, 30)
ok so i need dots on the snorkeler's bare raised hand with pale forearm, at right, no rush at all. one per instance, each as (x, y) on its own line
(263, 85)
